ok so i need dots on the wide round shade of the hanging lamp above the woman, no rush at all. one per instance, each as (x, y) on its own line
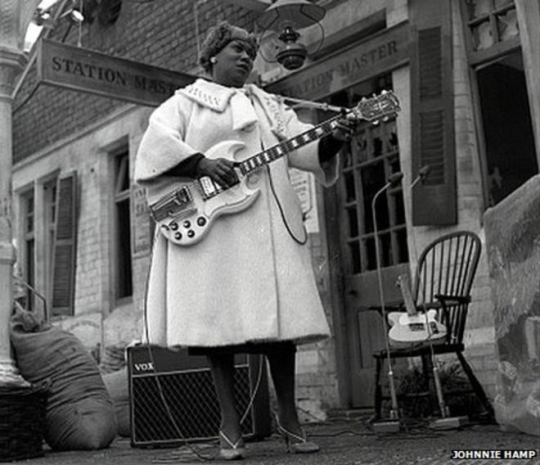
(296, 13)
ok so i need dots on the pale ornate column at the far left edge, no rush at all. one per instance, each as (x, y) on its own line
(14, 17)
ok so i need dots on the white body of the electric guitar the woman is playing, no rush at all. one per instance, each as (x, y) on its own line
(191, 211)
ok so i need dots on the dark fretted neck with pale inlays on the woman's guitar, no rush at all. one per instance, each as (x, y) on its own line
(279, 150)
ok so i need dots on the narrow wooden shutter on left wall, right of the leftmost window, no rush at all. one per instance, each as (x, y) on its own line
(64, 254)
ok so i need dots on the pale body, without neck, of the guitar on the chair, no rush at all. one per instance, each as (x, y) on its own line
(407, 329)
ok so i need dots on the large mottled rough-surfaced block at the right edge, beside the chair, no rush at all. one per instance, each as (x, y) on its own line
(513, 249)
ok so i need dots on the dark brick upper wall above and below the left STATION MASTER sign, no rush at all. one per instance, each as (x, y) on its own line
(164, 36)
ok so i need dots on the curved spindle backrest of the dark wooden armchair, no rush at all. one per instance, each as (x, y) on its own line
(447, 266)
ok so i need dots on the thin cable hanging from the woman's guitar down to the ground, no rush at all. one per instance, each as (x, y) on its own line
(160, 389)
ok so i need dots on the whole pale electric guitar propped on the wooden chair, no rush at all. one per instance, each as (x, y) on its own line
(412, 327)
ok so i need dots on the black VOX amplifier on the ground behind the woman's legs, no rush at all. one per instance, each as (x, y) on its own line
(172, 397)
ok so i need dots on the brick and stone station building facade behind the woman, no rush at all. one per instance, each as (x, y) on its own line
(466, 73)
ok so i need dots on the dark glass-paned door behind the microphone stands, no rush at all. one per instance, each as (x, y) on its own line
(367, 162)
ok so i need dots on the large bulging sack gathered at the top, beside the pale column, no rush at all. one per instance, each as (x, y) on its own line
(80, 412)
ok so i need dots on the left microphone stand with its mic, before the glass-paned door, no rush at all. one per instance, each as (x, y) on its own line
(393, 425)
